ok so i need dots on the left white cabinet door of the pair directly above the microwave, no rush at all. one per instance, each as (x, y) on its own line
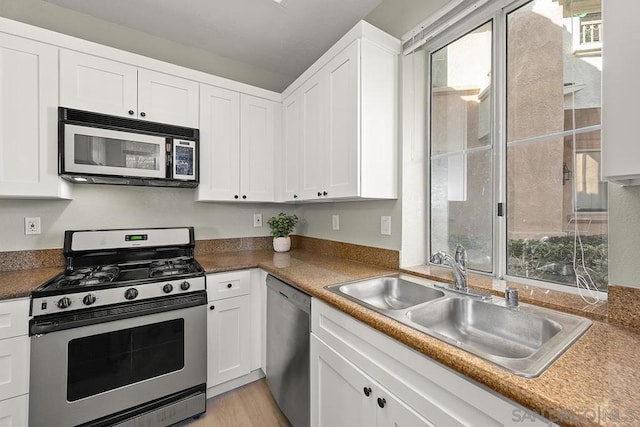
(91, 83)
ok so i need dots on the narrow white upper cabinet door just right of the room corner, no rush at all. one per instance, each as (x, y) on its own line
(288, 160)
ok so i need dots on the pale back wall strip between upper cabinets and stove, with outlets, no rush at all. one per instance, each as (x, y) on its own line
(110, 206)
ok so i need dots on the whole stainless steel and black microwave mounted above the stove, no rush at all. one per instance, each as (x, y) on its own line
(99, 149)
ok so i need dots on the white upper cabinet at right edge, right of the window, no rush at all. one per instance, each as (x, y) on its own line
(620, 110)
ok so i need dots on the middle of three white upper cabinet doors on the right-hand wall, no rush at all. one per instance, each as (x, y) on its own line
(313, 102)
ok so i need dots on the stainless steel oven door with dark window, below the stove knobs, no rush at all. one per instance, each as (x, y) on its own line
(89, 372)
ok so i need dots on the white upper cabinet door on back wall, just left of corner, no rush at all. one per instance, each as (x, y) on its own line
(257, 145)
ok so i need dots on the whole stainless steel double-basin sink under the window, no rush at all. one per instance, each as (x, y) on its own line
(524, 340)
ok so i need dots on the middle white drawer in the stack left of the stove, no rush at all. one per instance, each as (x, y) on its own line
(14, 367)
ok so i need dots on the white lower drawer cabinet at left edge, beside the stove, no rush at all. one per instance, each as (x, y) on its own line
(14, 362)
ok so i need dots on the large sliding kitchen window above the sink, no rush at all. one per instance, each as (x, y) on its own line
(514, 142)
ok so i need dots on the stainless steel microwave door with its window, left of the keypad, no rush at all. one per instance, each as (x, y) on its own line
(97, 151)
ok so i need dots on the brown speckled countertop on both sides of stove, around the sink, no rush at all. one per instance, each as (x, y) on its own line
(594, 383)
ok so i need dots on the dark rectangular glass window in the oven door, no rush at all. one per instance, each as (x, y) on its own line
(103, 362)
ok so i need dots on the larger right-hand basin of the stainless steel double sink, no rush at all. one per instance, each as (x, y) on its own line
(489, 328)
